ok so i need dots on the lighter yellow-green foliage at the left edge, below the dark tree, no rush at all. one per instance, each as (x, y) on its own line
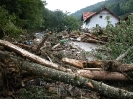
(7, 24)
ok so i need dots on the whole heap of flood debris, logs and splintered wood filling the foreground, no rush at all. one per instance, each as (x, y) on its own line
(60, 68)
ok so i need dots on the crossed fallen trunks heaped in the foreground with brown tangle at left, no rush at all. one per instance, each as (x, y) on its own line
(19, 65)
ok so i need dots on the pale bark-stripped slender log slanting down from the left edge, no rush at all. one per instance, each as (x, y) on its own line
(31, 56)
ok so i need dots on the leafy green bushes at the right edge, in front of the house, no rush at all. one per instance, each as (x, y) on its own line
(120, 39)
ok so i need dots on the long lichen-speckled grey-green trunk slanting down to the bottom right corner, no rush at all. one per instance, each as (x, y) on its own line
(73, 79)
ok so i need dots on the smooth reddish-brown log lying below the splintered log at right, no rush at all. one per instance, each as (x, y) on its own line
(102, 75)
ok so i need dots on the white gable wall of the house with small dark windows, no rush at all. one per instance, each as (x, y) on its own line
(100, 19)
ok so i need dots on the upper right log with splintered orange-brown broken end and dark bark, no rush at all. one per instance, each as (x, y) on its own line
(105, 65)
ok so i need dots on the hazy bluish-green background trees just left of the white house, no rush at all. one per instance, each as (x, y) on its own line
(59, 21)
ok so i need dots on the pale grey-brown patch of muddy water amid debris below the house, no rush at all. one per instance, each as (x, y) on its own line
(88, 47)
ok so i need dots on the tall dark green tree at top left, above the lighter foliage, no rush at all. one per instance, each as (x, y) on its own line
(28, 12)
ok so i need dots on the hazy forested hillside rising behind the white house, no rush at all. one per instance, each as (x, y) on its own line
(119, 7)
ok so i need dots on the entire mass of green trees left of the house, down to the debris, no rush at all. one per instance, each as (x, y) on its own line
(19, 16)
